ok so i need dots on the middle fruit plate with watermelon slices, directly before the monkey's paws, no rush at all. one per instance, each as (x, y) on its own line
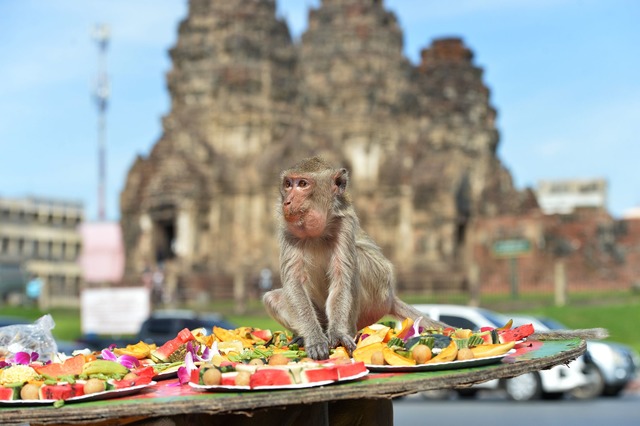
(243, 359)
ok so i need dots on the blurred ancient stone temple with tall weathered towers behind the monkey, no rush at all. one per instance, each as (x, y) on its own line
(420, 143)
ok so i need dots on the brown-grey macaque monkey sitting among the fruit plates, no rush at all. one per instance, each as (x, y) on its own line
(335, 279)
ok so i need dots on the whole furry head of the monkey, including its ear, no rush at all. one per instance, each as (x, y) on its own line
(312, 193)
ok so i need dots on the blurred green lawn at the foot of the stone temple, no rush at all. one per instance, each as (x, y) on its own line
(619, 313)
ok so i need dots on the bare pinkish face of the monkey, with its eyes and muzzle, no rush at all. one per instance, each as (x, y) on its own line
(302, 219)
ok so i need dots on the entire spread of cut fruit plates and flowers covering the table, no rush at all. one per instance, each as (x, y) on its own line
(246, 359)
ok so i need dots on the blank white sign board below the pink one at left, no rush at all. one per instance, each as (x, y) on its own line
(115, 311)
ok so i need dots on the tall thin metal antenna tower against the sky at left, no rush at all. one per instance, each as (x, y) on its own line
(101, 35)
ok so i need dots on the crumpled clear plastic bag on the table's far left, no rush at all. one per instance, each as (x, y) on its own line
(36, 337)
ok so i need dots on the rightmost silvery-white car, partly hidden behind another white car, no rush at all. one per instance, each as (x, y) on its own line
(611, 366)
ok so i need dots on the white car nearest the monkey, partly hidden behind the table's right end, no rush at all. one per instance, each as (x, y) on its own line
(552, 383)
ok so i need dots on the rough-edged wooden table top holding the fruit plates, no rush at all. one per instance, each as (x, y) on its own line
(366, 401)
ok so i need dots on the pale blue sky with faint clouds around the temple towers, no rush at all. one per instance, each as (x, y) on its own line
(563, 76)
